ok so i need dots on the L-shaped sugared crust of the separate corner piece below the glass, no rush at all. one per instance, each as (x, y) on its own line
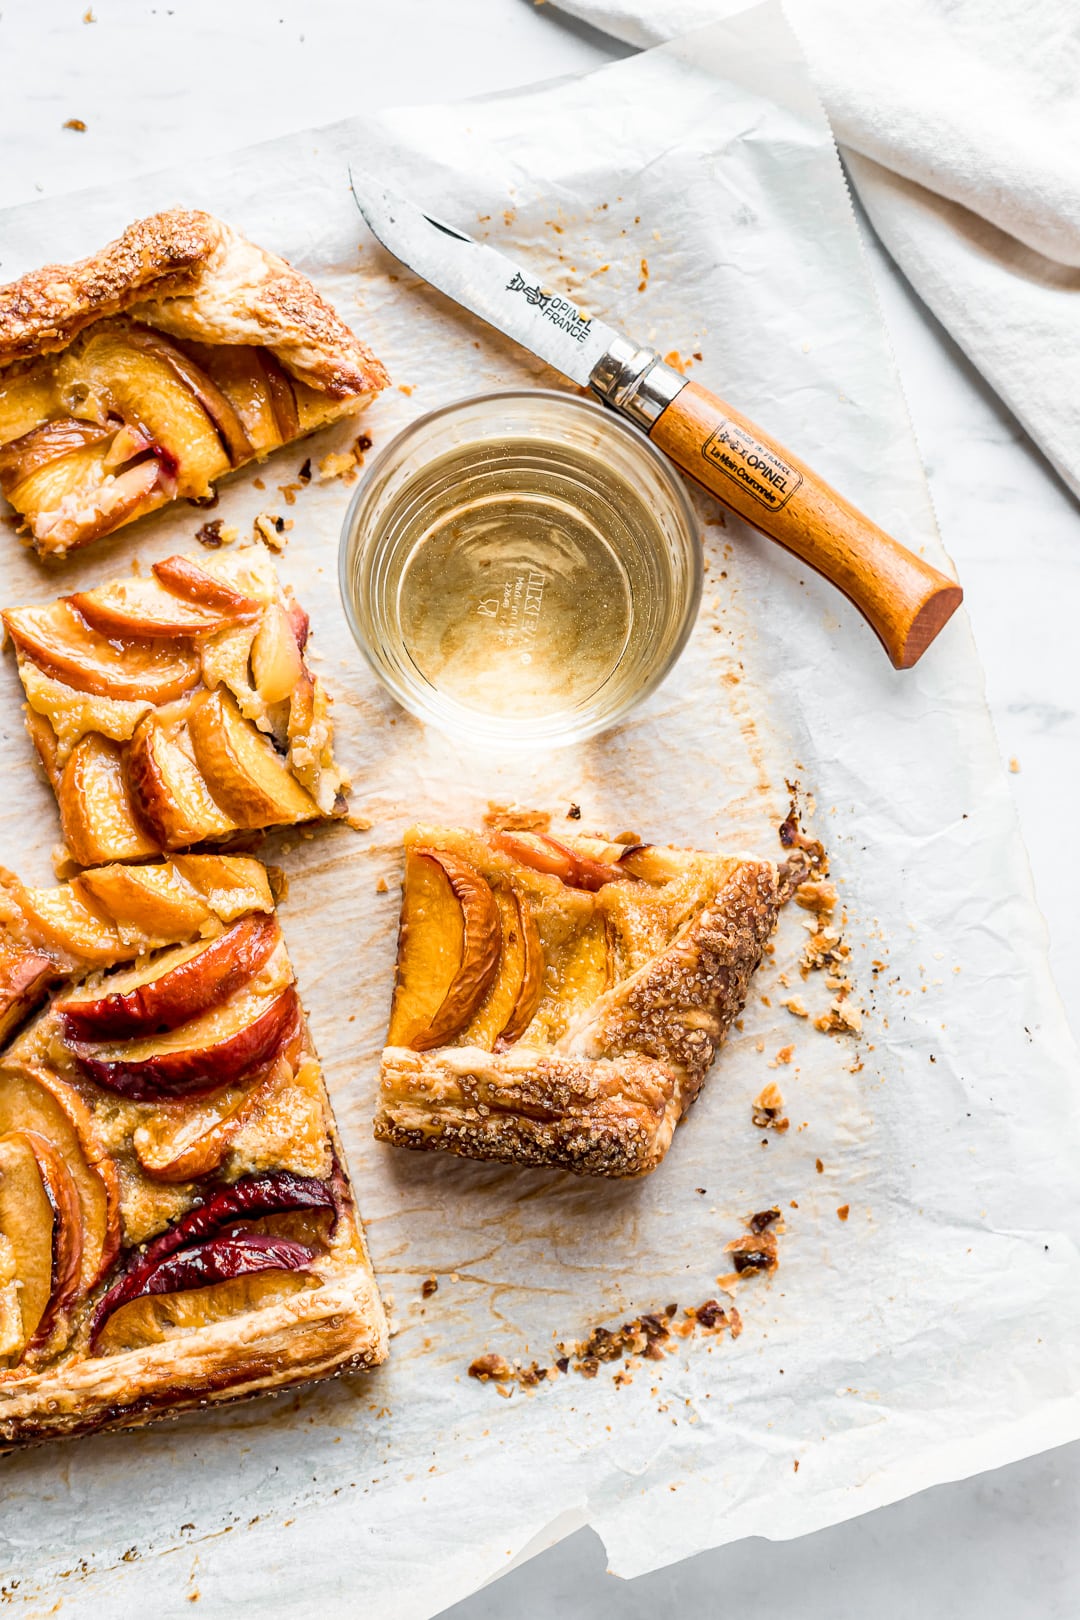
(608, 1099)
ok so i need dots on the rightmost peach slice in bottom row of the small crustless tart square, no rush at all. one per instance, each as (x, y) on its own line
(245, 774)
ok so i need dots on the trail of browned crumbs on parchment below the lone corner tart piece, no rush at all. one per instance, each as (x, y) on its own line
(648, 1337)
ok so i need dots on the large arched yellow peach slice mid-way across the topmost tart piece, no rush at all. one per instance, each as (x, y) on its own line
(145, 382)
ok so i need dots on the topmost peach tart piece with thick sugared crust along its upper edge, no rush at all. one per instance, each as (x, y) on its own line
(148, 372)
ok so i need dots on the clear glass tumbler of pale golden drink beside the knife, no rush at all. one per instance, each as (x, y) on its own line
(521, 568)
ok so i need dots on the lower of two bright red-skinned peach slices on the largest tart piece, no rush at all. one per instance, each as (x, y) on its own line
(213, 1051)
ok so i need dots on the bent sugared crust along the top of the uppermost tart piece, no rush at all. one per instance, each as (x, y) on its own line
(192, 276)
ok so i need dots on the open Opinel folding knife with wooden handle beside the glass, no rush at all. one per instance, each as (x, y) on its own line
(903, 597)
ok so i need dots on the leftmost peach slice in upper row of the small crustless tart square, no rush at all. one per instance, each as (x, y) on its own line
(64, 646)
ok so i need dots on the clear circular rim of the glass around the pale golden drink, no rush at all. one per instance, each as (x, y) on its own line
(461, 722)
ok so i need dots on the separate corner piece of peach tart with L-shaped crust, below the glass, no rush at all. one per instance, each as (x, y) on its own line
(561, 1002)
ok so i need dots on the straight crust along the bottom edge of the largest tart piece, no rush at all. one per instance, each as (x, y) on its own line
(313, 1336)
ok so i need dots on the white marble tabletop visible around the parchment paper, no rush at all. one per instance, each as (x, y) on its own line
(159, 83)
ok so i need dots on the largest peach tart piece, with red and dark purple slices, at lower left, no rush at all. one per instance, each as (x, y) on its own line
(176, 1219)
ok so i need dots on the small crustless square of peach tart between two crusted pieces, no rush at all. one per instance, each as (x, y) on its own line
(179, 709)
